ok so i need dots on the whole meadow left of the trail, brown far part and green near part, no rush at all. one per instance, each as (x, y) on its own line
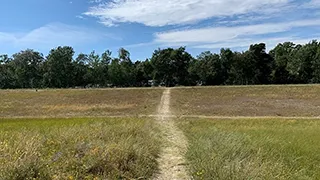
(78, 134)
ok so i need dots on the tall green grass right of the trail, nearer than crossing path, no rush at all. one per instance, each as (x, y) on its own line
(253, 149)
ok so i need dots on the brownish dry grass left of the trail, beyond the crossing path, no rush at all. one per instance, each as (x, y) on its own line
(78, 102)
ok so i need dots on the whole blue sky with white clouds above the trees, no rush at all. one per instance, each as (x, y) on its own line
(141, 26)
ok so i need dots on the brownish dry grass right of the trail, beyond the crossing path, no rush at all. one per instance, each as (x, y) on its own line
(282, 101)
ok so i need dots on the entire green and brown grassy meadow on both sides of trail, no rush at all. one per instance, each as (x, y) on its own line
(231, 132)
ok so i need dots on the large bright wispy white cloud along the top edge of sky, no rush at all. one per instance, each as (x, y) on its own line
(176, 12)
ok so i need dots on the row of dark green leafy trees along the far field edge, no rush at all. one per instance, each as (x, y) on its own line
(287, 63)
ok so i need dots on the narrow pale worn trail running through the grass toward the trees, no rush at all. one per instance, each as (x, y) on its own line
(171, 161)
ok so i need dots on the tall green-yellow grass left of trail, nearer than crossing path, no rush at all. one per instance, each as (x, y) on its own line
(100, 148)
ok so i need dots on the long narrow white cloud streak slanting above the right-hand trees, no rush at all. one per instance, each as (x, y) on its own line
(220, 34)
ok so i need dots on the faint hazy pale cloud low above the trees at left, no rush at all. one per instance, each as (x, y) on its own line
(50, 36)
